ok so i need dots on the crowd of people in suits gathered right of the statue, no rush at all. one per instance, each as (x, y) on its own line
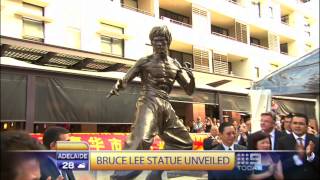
(294, 134)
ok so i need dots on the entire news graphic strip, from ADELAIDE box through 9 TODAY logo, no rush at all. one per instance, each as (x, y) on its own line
(161, 160)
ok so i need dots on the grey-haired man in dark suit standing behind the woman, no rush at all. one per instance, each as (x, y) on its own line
(267, 124)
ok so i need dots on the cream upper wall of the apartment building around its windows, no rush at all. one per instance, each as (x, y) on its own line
(80, 21)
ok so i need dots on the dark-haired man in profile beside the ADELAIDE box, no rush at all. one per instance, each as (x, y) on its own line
(48, 164)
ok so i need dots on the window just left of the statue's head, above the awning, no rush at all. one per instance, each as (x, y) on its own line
(112, 45)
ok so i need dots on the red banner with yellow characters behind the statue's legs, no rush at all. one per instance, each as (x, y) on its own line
(115, 141)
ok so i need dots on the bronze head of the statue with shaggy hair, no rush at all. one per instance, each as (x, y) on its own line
(160, 38)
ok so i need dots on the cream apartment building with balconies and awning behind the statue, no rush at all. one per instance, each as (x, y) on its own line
(230, 44)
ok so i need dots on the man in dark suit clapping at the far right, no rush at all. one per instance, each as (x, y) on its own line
(305, 163)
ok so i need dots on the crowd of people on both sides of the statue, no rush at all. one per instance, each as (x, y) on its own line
(295, 132)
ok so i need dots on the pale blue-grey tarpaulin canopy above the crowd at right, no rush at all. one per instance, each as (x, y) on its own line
(298, 79)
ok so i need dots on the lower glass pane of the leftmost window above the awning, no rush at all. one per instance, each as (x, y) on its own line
(33, 28)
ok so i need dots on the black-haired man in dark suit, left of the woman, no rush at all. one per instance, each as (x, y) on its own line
(228, 135)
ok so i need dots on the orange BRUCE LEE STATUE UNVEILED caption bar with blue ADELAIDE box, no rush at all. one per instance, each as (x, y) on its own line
(145, 160)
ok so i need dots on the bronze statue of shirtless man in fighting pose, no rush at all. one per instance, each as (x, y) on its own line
(154, 114)
